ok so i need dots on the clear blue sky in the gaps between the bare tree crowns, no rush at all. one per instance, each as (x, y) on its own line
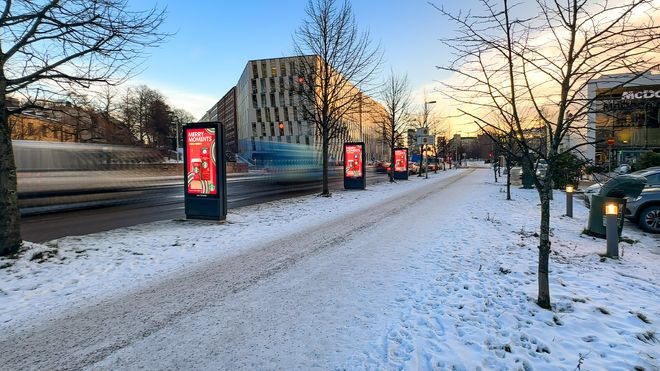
(215, 39)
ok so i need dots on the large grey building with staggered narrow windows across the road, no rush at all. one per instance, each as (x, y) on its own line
(267, 110)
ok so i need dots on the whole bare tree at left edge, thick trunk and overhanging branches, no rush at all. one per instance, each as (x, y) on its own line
(49, 45)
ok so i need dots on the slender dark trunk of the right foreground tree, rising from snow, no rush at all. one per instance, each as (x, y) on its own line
(544, 248)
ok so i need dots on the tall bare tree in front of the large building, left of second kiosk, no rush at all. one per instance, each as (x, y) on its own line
(336, 65)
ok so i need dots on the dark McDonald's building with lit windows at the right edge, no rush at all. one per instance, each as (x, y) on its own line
(627, 112)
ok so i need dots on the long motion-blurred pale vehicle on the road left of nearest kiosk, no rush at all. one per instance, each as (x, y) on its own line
(53, 173)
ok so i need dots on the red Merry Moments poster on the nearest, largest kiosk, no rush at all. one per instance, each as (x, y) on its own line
(200, 144)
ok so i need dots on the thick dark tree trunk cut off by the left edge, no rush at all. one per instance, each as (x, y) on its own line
(10, 233)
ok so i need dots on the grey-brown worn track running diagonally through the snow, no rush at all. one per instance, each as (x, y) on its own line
(90, 334)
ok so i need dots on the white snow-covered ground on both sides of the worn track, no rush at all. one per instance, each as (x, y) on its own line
(447, 281)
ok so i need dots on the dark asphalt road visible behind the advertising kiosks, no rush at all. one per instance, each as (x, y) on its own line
(162, 204)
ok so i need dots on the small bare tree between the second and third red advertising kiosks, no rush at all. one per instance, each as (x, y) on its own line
(395, 95)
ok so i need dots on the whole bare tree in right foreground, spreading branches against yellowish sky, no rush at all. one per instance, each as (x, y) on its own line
(508, 64)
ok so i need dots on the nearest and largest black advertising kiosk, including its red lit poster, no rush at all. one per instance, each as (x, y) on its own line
(204, 169)
